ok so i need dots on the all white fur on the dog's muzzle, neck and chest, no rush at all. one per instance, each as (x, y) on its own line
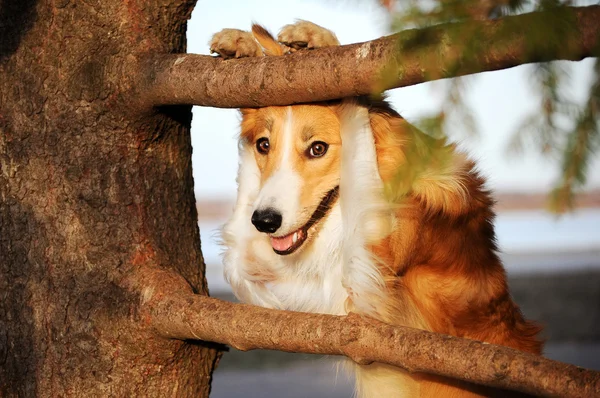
(336, 264)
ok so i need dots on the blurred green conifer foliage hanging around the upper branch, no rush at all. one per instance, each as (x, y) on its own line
(559, 128)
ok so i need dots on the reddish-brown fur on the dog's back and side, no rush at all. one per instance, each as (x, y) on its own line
(443, 255)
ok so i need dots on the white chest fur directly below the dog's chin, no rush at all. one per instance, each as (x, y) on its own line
(310, 281)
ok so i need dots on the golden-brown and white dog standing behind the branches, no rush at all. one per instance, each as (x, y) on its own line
(344, 206)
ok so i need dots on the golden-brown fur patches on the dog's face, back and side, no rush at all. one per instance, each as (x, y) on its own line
(439, 263)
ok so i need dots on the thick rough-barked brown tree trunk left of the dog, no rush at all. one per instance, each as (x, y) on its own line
(91, 190)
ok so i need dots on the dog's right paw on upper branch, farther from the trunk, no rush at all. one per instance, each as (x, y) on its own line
(304, 34)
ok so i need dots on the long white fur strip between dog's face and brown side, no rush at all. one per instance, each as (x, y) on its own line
(367, 218)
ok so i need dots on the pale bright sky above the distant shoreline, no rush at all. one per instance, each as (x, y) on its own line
(499, 99)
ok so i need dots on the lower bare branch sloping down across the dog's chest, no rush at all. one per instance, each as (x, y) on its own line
(365, 340)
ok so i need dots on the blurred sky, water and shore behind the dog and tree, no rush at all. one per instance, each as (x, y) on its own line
(553, 262)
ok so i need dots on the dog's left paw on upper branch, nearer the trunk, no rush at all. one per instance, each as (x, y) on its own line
(235, 43)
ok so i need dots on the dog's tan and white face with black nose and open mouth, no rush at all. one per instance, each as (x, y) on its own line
(297, 150)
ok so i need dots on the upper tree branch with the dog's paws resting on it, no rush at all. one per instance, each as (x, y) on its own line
(407, 58)
